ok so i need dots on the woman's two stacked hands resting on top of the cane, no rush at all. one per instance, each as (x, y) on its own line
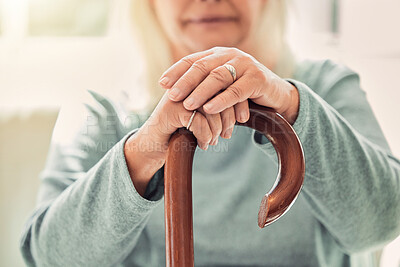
(201, 82)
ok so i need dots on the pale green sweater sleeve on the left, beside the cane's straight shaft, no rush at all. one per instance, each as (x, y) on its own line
(88, 211)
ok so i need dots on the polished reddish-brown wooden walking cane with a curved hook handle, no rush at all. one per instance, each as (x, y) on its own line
(178, 181)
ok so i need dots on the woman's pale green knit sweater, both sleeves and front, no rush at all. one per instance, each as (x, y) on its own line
(89, 214)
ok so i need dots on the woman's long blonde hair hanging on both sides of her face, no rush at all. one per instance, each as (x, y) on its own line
(270, 37)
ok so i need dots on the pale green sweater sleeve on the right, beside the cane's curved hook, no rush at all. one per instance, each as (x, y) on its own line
(352, 180)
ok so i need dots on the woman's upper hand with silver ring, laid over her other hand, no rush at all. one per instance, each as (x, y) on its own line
(201, 79)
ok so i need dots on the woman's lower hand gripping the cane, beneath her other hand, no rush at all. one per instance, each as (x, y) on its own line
(145, 151)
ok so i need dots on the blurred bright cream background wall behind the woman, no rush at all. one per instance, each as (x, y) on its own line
(52, 50)
